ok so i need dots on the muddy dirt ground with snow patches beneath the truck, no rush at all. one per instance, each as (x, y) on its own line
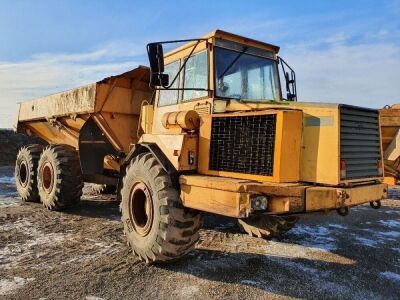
(81, 254)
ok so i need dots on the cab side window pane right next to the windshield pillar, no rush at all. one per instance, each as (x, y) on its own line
(196, 76)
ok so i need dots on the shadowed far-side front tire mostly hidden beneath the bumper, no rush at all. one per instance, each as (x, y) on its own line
(267, 227)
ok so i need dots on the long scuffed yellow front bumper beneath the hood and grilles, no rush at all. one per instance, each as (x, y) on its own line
(232, 197)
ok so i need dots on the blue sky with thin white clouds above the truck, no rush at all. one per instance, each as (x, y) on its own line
(342, 51)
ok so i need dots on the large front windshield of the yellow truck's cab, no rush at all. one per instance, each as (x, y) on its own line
(240, 75)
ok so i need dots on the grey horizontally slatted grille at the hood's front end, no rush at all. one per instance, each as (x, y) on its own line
(360, 141)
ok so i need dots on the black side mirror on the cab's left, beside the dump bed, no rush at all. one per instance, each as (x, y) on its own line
(156, 59)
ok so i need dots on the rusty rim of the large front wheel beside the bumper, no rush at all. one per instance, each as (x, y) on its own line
(141, 209)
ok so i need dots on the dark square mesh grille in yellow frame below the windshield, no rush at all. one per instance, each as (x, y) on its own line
(243, 144)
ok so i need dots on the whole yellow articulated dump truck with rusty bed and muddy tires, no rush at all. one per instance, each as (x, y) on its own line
(205, 129)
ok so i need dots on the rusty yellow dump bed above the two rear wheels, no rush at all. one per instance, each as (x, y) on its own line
(112, 105)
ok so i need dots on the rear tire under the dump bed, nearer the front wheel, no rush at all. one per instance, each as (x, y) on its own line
(60, 179)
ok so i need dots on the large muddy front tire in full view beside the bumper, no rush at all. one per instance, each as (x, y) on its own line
(158, 228)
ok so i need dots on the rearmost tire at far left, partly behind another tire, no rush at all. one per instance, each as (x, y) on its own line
(26, 167)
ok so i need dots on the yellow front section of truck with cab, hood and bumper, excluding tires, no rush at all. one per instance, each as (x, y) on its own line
(251, 127)
